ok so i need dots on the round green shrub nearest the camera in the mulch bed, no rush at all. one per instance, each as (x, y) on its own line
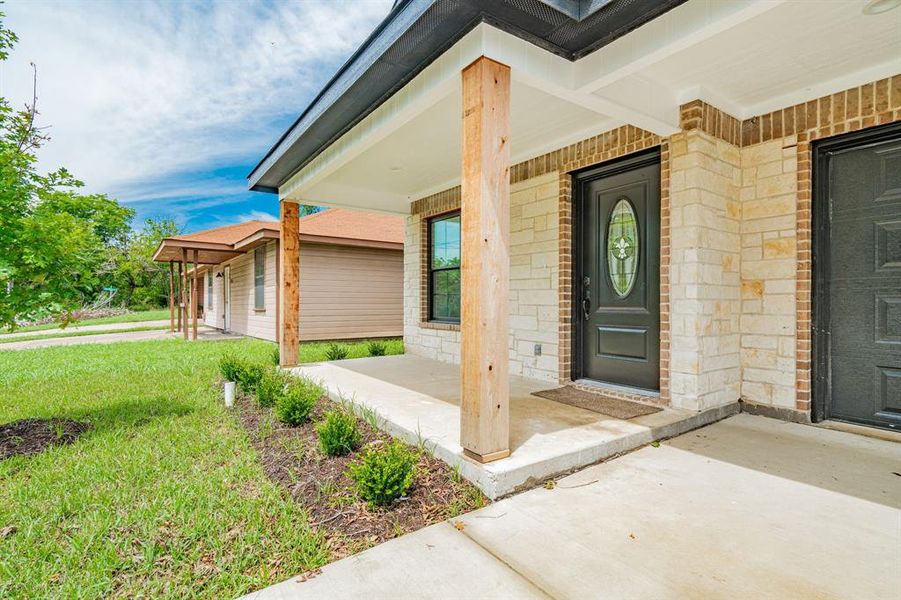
(384, 474)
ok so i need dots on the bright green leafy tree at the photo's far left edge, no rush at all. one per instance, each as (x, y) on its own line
(54, 242)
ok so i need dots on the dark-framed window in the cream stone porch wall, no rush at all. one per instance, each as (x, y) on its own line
(444, 268)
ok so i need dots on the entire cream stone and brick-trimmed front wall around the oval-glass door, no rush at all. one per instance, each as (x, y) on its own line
(735, 284)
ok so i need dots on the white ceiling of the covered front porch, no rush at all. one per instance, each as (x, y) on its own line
(744, 57)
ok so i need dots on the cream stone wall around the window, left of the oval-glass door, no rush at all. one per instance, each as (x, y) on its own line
(534, 307)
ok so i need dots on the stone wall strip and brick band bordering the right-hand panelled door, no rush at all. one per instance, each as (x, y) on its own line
(776, 194)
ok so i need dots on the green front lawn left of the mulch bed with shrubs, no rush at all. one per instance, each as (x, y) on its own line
(164, 497)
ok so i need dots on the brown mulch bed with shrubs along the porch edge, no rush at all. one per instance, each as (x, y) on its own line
(292, 458)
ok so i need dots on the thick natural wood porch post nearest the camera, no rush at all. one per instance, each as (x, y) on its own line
(485, 276)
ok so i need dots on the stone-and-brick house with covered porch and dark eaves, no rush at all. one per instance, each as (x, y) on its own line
(690, 202)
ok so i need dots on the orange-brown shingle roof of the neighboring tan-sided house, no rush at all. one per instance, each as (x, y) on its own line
(334, 225)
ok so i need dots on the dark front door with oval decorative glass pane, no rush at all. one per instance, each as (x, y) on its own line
(617, 271)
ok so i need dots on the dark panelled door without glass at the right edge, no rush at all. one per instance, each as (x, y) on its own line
(858, 278)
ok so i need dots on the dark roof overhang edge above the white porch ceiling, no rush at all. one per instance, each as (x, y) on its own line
(414, 34)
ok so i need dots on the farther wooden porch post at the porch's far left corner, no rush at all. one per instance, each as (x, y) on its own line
(289, 280)
